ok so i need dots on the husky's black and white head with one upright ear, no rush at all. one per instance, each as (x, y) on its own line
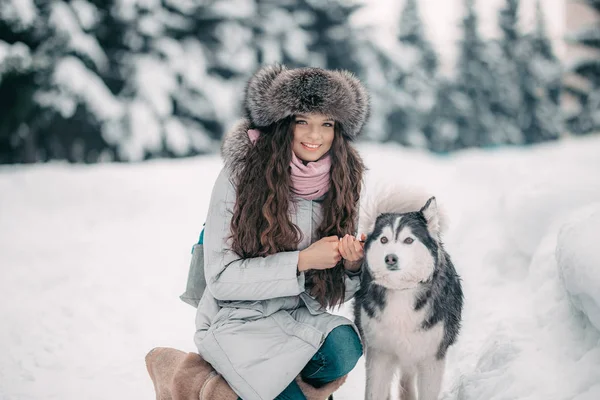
(402, 250)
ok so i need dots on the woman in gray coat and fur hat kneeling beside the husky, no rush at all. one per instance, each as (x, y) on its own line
(278, 244)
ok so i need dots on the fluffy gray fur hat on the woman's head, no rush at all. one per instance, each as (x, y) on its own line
(275, 92)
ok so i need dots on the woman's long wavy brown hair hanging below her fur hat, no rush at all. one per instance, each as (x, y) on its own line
(261, 224)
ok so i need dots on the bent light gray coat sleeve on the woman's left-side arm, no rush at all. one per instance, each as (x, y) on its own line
(229, 277)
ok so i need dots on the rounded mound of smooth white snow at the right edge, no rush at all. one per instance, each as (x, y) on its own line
(579, 261)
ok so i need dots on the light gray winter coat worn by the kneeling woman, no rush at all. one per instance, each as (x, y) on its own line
(256, 324)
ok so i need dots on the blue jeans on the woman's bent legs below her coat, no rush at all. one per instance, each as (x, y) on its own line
(335, 358)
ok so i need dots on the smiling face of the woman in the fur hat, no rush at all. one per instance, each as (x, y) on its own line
(313, 136)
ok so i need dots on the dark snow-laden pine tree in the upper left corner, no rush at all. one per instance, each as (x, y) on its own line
(54, 100)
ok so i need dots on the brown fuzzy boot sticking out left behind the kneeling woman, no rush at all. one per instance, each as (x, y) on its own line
(177, 375)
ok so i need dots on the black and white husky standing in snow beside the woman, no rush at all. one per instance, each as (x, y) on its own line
(408, 308)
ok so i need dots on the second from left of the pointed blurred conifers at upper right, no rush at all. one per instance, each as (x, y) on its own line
(475, 84)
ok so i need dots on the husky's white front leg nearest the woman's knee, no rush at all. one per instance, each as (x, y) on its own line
(380, 371)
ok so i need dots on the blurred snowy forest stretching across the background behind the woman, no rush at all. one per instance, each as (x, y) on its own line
(128, 80)
